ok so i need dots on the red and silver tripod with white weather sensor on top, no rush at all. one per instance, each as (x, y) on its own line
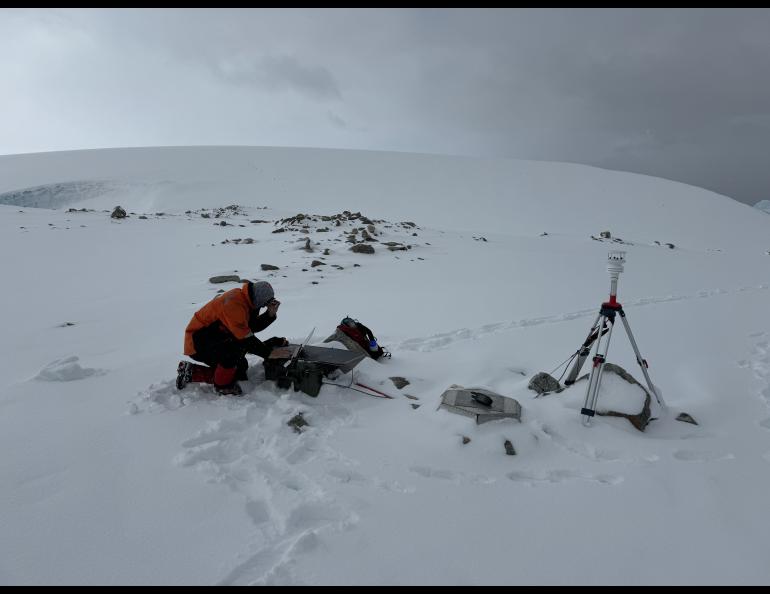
(602, 326)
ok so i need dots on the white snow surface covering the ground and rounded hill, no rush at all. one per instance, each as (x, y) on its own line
(111, 476)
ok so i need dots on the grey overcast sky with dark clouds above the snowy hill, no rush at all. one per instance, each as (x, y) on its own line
(678, 93)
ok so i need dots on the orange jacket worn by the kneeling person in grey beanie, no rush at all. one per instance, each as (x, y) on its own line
(231, 309)
